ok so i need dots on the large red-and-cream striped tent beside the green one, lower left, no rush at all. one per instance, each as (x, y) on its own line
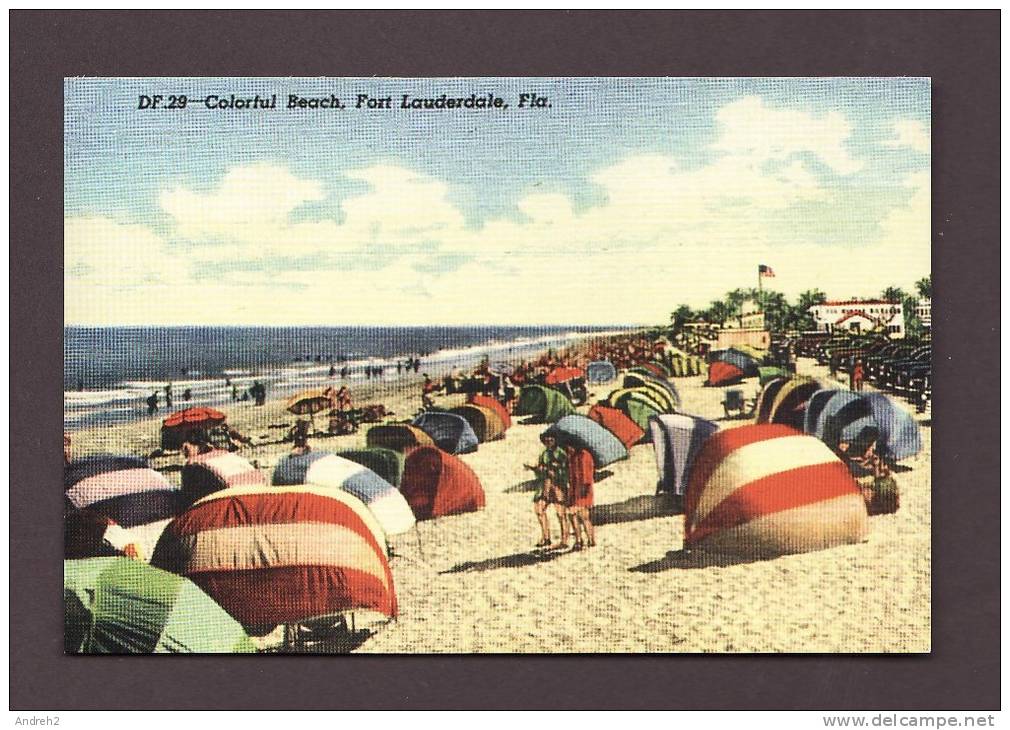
(275, 556)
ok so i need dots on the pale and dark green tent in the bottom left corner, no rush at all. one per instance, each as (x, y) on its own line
(121, 606)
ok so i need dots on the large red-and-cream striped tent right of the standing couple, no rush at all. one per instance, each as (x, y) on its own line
(767, 490)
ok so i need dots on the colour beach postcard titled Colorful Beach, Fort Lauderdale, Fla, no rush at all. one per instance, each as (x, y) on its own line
(497, 365)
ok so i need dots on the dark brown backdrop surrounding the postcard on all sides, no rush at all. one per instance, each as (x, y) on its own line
(959, 50)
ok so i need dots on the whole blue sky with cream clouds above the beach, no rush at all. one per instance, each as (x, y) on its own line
(621, 201)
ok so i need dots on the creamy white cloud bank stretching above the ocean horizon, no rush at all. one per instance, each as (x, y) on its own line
(663, 235)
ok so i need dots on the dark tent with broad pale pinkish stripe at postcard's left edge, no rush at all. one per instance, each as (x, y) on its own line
(124, 489)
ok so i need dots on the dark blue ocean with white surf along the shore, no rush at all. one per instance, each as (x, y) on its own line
(110, 372)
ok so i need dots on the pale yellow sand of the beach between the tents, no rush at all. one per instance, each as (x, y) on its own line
(473, 583)
